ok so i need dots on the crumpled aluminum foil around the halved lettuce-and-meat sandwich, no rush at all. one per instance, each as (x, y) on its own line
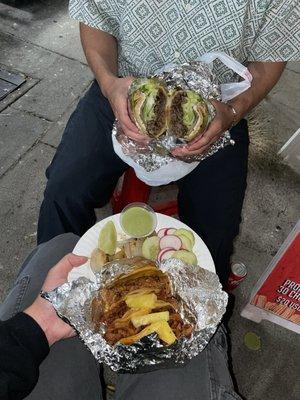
(196, 76)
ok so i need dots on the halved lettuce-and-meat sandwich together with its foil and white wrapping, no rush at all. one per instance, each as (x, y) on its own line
(172, 107)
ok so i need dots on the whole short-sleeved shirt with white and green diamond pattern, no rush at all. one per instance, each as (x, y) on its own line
(152, 33)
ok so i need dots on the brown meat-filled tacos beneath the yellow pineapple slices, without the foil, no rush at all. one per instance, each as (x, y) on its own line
(109, 307)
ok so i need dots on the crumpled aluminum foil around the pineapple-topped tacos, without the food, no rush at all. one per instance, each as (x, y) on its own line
(203, 304)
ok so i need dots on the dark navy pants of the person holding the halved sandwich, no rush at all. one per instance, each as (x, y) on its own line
(85, 170)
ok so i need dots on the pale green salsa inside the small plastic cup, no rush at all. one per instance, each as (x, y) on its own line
(137, 222)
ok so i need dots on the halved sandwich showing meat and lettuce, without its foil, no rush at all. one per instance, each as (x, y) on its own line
(155, 110)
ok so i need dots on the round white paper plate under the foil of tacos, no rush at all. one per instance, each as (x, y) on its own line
(89, 241)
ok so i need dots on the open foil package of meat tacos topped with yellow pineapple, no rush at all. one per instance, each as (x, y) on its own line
(189, 299)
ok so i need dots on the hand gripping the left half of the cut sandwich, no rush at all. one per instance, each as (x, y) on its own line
(117, 95)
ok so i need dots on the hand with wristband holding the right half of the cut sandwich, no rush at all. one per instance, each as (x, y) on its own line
(222, 121)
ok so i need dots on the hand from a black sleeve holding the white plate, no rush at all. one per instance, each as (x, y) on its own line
(42, 310)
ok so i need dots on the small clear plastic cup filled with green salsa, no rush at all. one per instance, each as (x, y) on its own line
(138, 220)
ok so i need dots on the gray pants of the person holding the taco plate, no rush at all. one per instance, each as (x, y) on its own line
(70, 371)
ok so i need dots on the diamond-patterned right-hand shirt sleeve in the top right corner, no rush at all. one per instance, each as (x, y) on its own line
(278, 36)
